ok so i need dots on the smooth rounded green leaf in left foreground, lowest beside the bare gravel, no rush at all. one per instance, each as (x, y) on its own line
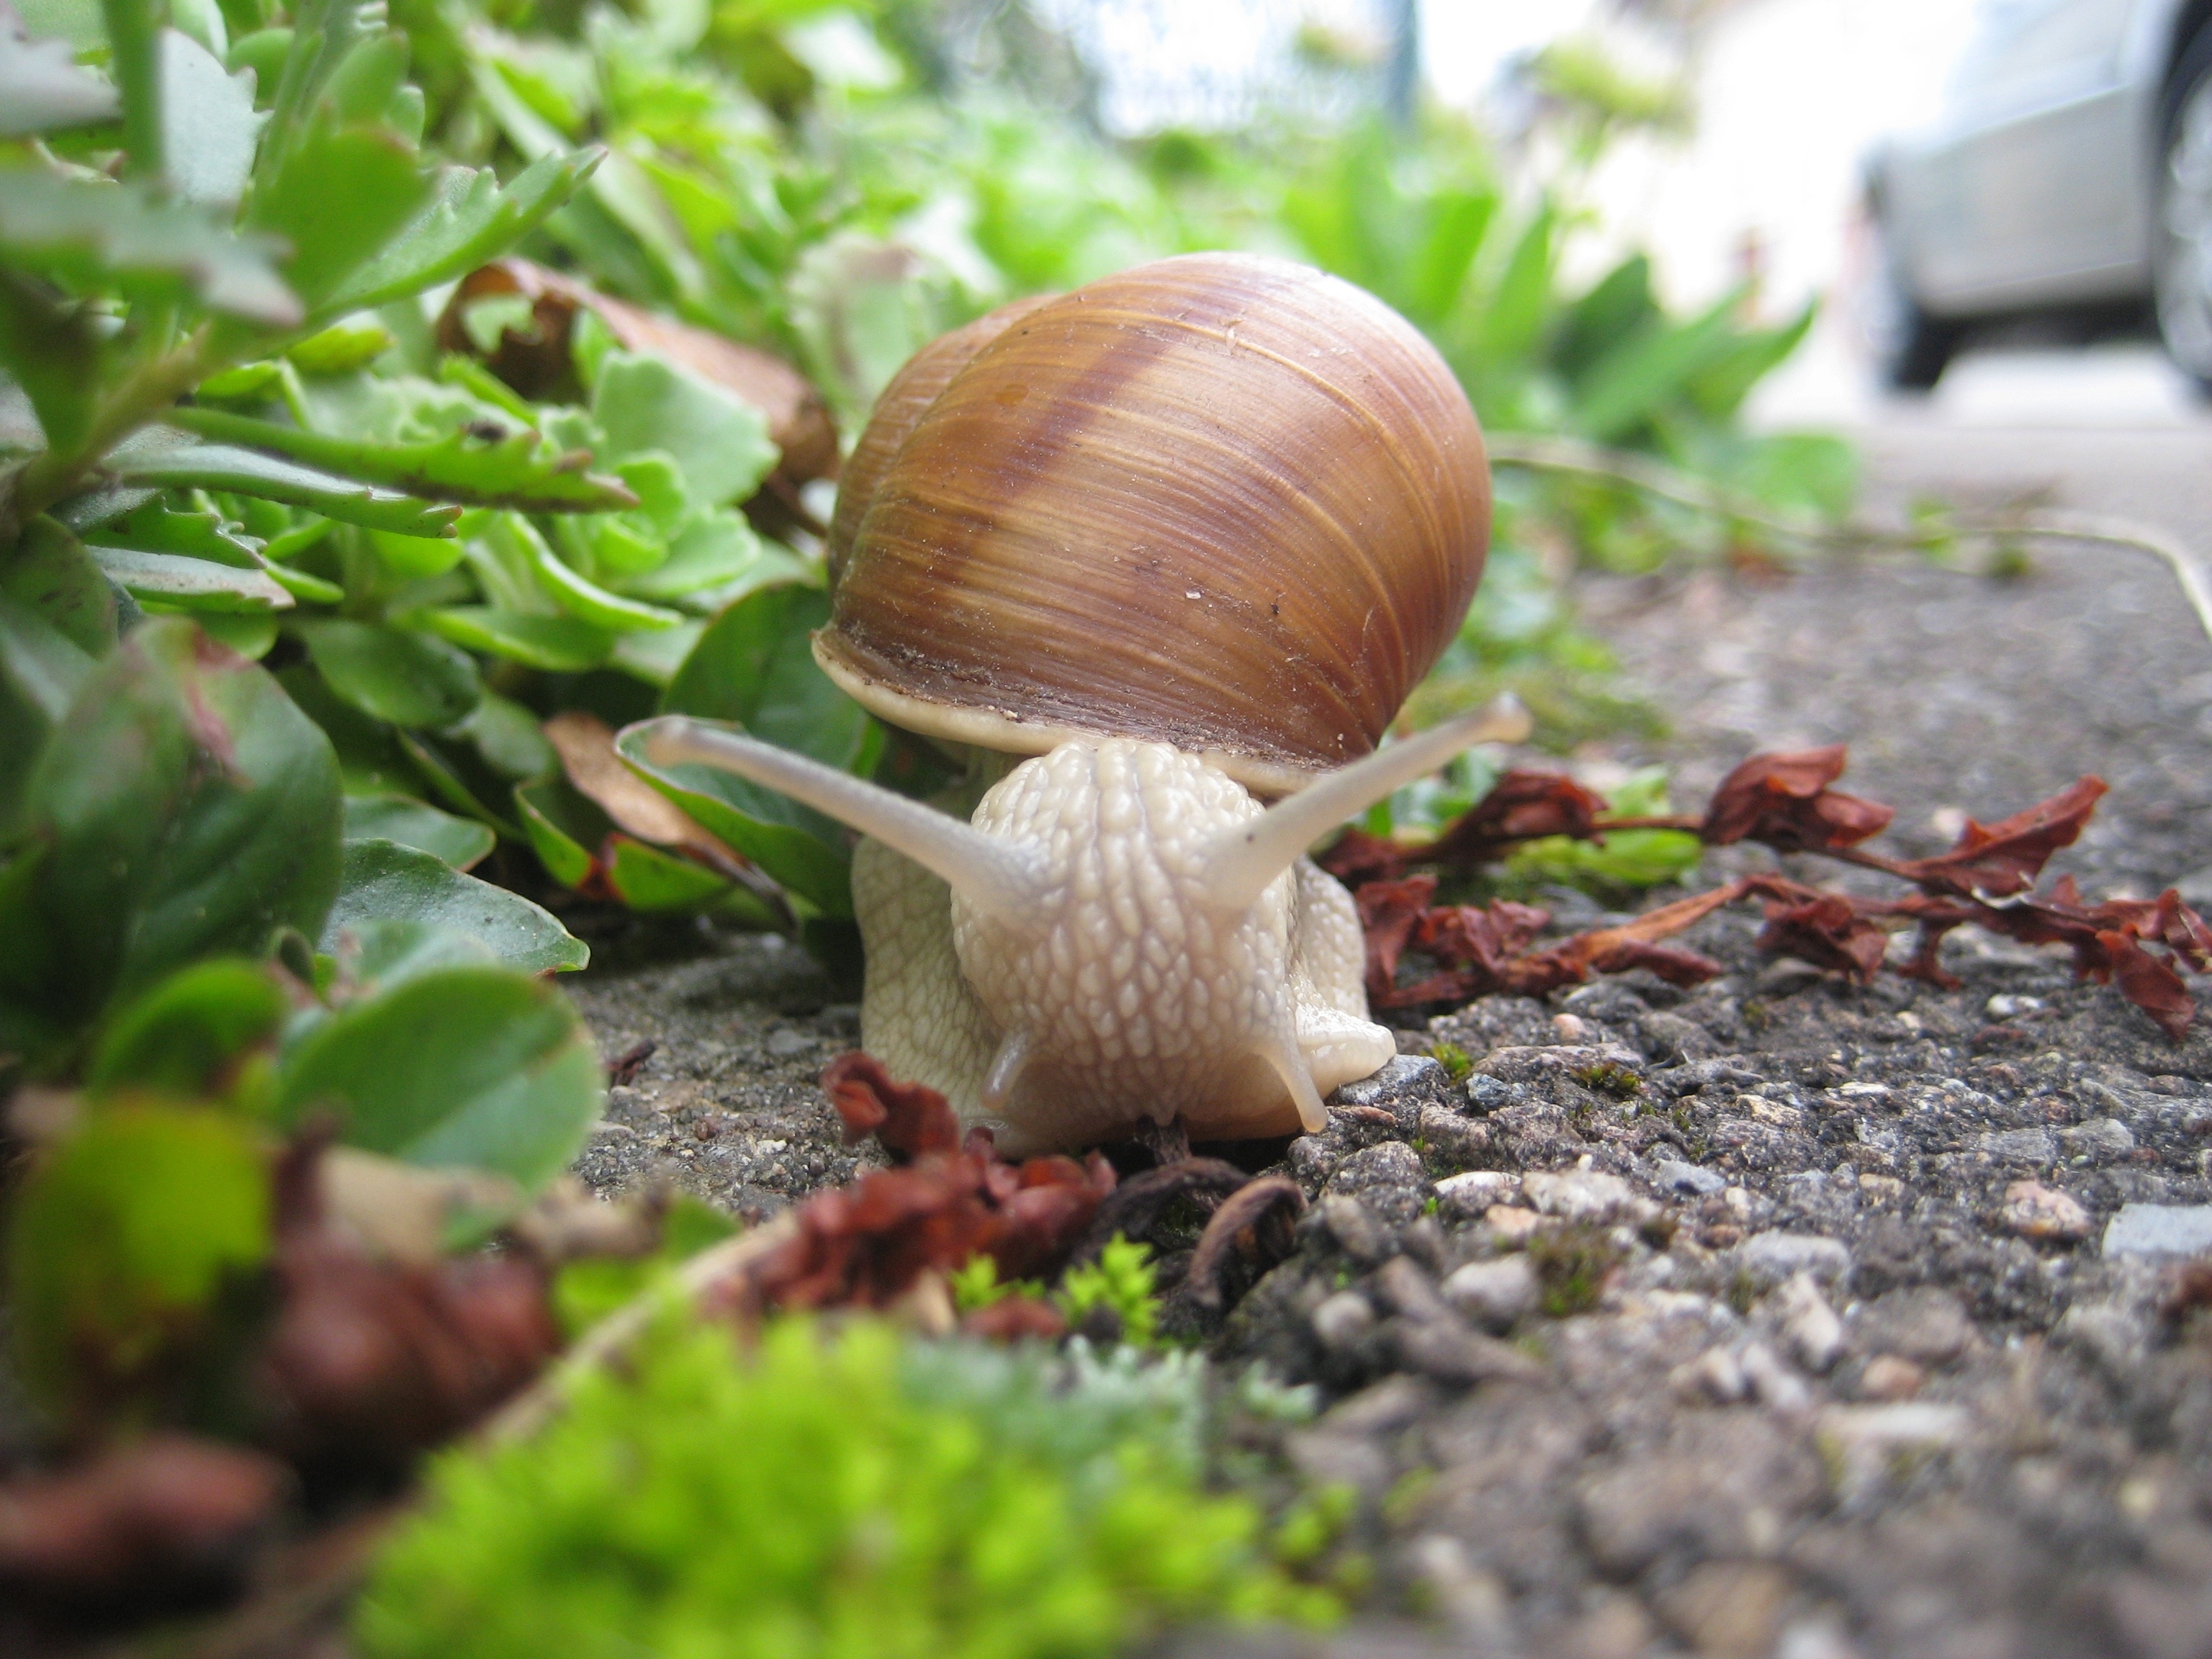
(468, 1067)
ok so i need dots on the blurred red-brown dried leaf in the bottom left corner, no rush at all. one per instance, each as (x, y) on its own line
(145, 1523)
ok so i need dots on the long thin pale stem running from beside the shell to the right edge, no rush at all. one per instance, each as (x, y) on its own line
(1667, 483)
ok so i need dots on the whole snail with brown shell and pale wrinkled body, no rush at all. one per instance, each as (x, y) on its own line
(1187, 539)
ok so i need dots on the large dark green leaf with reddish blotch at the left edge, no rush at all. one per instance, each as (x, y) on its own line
(185, 808)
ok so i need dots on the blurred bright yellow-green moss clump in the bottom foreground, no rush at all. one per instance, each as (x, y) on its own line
(828, 1499)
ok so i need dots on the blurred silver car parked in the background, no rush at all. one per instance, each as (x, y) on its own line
(2067, 178)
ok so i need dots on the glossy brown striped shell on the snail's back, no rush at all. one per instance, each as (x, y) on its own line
(1220, 501)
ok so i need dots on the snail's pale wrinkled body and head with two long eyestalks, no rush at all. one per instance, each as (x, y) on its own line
(1120, 935)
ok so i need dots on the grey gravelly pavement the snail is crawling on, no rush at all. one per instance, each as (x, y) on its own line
(1771, 1319)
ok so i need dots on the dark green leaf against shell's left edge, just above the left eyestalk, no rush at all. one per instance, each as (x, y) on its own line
(755, 667)
